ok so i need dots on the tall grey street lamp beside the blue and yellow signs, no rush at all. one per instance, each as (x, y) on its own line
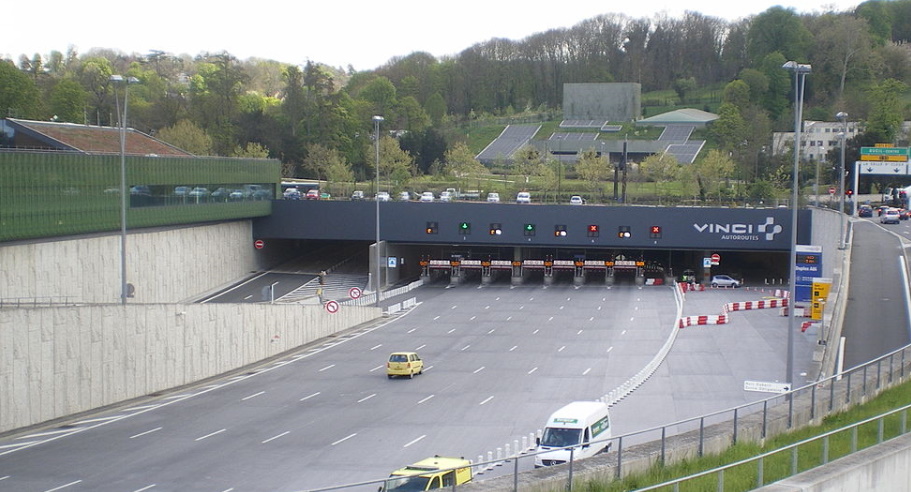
(800, 75)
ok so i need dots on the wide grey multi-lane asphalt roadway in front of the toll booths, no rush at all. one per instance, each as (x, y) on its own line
(499, 360)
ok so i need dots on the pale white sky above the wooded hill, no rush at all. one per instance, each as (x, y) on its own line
(358, 33)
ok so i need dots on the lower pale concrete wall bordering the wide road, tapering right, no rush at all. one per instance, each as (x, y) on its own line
(59, 361)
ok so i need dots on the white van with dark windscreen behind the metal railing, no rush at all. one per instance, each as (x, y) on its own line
(576, 426)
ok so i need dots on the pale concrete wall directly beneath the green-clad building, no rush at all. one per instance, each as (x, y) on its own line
(163, 265)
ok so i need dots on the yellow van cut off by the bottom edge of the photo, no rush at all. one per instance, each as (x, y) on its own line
(430, 473)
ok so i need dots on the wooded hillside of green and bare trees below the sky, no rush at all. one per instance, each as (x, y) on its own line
(317, 120)
